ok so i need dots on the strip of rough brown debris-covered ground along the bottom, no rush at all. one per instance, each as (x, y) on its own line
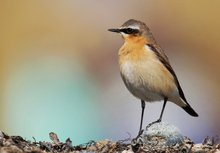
(16, 144)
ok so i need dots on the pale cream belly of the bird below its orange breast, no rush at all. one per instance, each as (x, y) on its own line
(146, 80)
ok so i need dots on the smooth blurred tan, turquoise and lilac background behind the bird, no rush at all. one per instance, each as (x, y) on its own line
(59, 67)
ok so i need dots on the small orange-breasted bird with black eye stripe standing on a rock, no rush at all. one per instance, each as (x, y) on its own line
(146, 71)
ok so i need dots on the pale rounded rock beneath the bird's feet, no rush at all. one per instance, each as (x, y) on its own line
(159, 136)
